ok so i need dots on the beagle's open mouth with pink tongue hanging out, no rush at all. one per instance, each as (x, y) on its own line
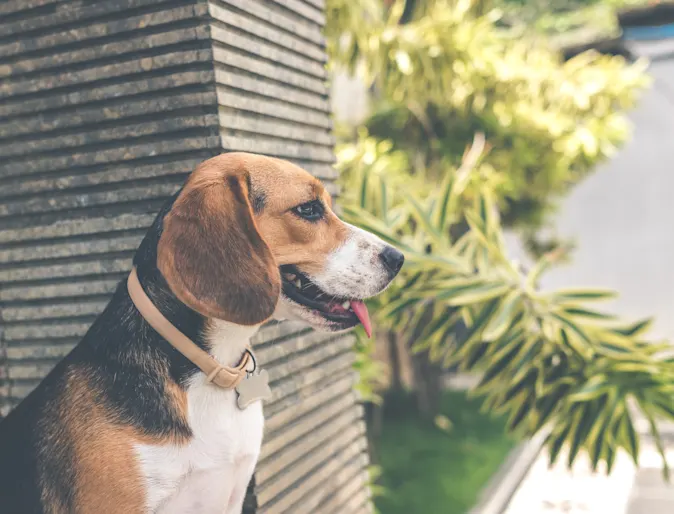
(345, 311)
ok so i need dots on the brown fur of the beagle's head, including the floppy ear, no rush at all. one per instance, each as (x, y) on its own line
(221, 258)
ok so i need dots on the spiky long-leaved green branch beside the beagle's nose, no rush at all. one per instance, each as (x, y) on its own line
(546, 358)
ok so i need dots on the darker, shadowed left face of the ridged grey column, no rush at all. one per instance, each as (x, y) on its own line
(105, 107)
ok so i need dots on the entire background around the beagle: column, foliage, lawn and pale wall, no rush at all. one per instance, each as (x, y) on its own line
(518, 151)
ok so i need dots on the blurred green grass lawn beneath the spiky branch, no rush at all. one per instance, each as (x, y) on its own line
(426, 470)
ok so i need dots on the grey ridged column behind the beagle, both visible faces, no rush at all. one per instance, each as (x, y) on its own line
(105, 106)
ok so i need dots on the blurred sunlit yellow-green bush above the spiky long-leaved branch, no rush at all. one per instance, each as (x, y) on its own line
(441, 71)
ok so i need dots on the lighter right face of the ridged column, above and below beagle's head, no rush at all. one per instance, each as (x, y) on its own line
(269, 61)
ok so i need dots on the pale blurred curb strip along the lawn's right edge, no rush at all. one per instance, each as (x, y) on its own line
(500, 489)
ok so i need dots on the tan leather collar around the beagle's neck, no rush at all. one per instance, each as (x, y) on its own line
(223, 376)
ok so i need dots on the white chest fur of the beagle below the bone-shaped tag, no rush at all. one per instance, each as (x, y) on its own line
(223, 436)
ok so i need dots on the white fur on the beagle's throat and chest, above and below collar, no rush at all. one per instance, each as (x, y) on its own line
(210, 474)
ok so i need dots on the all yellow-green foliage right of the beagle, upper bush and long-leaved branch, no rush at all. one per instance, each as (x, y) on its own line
(440, 72)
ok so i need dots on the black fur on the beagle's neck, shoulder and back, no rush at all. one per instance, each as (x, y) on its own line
(127, 364)
